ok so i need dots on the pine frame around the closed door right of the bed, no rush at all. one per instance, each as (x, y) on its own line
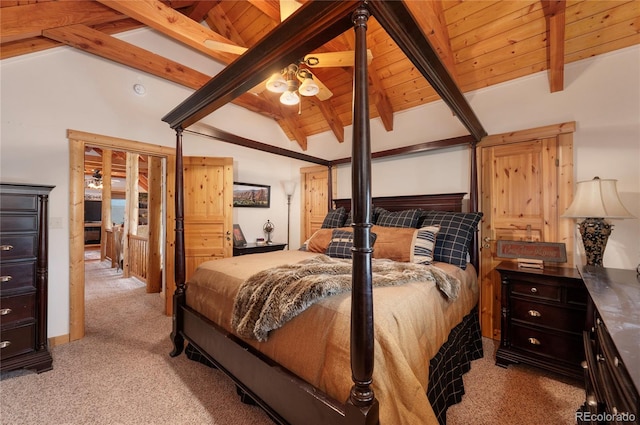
(563, 132)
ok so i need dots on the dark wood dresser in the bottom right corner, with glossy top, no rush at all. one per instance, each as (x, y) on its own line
(612, 347)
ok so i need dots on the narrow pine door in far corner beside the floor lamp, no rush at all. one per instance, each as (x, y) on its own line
(315, 198)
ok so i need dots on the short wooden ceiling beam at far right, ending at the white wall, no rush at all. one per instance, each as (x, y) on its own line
(555, 17)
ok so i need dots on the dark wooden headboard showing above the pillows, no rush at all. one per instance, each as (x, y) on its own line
(441, 202)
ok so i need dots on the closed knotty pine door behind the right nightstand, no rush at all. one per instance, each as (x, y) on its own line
(519, 189)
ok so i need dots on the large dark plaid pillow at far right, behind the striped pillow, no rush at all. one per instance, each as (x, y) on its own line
(454, 237)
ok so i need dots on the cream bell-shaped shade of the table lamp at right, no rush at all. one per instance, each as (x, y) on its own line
(597, 198)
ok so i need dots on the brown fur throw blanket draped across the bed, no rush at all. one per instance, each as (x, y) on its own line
(268, 299)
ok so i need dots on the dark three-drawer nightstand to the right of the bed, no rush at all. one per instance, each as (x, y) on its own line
(543, 317)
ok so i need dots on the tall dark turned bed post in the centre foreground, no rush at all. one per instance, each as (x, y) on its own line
(362, 343)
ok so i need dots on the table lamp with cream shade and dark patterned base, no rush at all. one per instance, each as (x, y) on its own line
(594, 201)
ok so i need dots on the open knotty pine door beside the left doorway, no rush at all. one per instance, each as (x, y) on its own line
(208, 208)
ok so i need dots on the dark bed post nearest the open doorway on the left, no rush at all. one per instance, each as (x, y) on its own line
(179, 295)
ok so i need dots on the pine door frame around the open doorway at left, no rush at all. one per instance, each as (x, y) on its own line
(77, 142)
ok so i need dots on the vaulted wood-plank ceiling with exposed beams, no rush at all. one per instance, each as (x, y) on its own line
(480, 42)
